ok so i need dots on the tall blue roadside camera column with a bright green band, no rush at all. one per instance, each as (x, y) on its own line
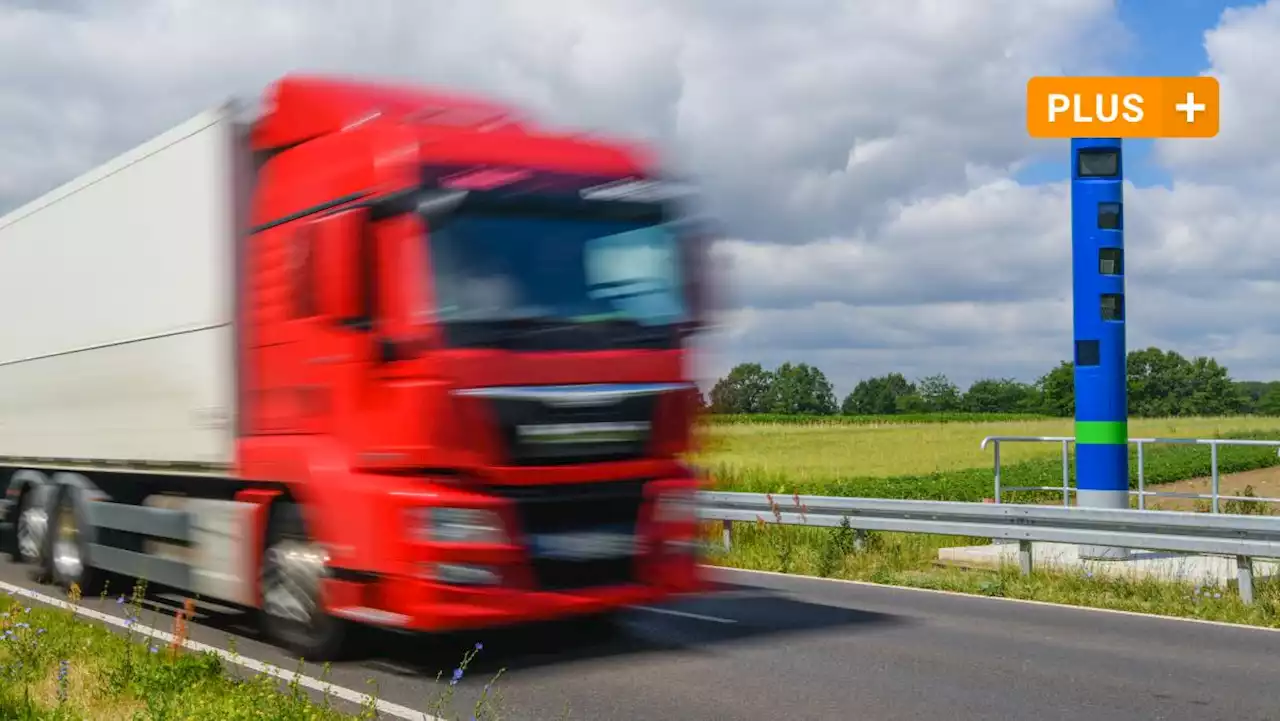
(1098, 289)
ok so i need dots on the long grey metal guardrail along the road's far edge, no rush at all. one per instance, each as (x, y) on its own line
(1226, 535)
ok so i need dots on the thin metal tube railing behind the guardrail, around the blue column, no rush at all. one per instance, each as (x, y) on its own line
(1214, 498)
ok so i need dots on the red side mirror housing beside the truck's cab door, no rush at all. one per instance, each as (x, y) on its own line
(339, 281)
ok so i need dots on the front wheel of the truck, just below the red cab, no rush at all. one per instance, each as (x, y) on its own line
(292, 613)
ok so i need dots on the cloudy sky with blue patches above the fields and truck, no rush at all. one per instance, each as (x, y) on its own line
(884, 207)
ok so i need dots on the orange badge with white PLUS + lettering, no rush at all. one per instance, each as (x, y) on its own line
(1123, 107)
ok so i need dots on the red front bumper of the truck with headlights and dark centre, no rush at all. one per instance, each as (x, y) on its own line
(524, 579)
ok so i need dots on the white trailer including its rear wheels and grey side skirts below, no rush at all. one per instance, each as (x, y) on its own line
(118, 293)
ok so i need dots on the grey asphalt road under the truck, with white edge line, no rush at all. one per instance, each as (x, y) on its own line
(769, 647)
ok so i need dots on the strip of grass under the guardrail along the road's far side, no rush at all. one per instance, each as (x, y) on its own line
(909, 560)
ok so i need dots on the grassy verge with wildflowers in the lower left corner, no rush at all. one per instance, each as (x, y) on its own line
(58, 667)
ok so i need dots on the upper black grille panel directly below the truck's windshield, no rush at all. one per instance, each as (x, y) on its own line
(537, 433)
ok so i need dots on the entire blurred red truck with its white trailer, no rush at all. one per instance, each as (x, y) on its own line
(376, 357)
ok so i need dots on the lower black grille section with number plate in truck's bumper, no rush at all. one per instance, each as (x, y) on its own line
(548, 515)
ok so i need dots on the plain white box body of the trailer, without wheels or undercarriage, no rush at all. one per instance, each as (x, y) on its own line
(118, 293)
